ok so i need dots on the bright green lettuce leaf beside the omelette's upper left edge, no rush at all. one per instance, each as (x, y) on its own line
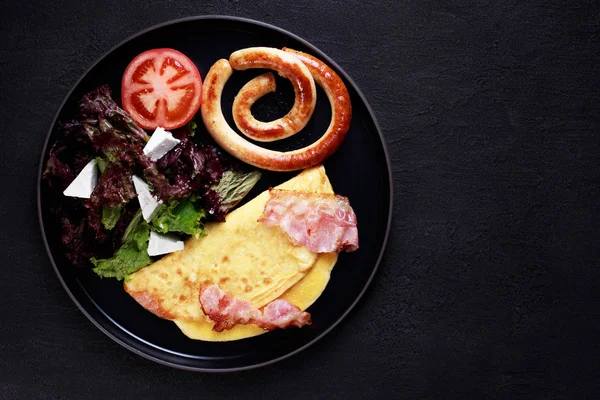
(131, 256)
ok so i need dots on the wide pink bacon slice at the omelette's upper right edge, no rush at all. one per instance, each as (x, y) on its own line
(322, 222)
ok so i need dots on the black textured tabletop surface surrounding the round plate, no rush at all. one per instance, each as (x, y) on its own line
(489, 287)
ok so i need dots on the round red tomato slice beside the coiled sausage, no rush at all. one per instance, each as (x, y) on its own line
(161, 87)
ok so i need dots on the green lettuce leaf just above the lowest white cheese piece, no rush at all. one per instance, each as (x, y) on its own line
(181, 216)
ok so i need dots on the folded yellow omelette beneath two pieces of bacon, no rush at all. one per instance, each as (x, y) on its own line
(247, 259)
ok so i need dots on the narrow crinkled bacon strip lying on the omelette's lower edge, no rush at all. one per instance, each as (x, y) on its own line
(227, 311)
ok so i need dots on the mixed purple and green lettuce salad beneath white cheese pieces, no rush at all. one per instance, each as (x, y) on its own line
(197, 183)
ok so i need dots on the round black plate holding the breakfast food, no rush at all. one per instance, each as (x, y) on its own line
(359, 169)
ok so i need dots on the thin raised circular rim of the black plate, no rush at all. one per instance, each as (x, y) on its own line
(330, 62)
